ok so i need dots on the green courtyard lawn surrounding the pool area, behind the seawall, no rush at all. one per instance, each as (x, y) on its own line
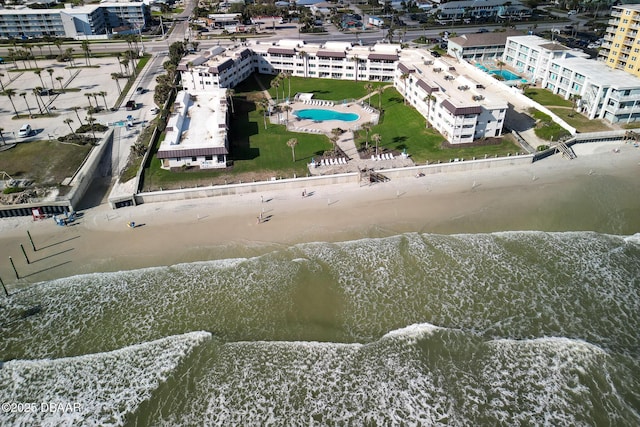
(259, 154)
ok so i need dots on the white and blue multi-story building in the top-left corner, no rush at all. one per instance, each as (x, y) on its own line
(91, 21)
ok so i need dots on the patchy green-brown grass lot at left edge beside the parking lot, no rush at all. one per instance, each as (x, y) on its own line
(45, 162)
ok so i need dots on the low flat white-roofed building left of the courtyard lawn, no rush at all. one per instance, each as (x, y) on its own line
(196, 132)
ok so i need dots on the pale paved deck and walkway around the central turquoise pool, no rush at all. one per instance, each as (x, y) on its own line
(350, 161)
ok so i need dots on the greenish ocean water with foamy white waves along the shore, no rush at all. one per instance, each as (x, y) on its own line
(511, 328)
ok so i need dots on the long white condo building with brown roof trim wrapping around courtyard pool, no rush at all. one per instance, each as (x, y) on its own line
(458, 107)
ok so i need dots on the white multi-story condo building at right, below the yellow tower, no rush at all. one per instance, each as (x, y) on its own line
(600, 91)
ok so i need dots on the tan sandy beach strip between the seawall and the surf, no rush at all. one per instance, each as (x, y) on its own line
(551, 195)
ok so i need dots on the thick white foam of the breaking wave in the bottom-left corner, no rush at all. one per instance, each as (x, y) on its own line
(102, 388)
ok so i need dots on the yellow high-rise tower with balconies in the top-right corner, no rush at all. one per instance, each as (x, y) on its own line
(621, 47)
